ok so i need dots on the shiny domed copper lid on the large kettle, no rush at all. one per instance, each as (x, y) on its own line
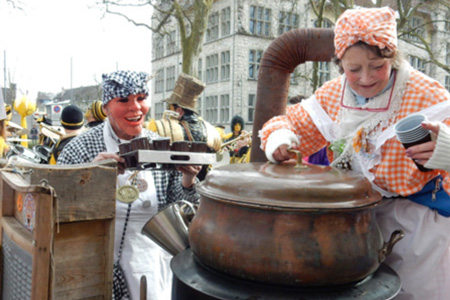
(285, 186)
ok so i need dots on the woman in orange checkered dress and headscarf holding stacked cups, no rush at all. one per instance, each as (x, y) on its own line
(355, 114)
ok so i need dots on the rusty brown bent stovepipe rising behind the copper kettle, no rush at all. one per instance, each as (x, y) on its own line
(278, 62)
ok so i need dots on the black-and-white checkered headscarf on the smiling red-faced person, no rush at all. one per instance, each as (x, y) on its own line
(123, 84)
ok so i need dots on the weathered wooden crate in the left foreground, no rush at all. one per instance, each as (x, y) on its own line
(59, 219)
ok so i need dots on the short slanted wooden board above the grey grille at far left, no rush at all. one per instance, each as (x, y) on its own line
(18, 233)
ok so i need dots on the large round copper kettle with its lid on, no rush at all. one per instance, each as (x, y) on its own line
(283, 224)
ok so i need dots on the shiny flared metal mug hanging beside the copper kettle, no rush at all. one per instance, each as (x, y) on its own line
(169, 228)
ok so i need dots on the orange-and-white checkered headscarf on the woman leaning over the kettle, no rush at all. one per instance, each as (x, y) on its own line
(374, 26)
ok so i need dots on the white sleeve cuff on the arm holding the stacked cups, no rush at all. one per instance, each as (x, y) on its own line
(440, 158)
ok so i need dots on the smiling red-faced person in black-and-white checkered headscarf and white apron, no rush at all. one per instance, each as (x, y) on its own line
(125, 105)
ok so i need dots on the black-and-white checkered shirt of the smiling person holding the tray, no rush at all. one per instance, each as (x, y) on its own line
(86, 146)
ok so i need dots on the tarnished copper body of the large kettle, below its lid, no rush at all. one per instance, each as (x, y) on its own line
(287, 248)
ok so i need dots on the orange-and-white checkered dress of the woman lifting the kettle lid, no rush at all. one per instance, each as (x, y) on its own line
(396, 173)
